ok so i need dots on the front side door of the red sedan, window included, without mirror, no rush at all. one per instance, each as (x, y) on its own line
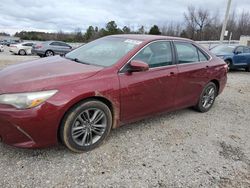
(145, 93)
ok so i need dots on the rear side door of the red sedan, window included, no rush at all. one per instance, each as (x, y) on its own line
(193, 68)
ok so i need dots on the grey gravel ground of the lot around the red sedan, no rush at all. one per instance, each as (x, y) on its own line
(179, 149)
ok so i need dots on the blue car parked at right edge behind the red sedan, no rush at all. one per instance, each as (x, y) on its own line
(236, 56)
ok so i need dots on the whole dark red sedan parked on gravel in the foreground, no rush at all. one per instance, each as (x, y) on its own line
(79, 98)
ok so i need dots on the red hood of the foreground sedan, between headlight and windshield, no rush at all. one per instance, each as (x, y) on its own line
(41, 74)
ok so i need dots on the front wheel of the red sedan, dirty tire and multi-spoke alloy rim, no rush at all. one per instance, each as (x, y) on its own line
(79, 133)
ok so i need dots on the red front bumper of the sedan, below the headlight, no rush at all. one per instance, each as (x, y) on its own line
(31, 128)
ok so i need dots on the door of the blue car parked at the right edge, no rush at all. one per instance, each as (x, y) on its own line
(240, 57)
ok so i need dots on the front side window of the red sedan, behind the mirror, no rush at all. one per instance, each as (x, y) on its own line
(156, 54)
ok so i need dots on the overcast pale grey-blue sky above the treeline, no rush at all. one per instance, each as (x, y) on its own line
(67, 15)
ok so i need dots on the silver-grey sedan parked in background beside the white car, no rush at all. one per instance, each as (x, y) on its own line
(51, 48)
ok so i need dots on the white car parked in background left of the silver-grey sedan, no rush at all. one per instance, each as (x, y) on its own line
(21, 48)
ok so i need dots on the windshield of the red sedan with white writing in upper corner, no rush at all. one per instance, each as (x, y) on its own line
(103, 52)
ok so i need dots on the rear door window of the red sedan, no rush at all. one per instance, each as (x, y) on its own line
(187, 53)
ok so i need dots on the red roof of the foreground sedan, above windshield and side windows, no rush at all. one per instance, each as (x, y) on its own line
(148, 37)
